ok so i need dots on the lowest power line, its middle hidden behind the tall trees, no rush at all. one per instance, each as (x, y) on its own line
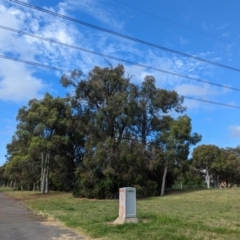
(54, 68)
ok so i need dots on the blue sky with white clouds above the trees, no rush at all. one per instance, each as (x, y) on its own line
(207, 29)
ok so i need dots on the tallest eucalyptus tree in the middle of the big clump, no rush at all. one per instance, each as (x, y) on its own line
(108, 100)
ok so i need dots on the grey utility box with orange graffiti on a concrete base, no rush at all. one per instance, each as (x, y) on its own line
(127, 206)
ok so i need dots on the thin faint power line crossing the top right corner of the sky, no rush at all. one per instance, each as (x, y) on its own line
(172, 22)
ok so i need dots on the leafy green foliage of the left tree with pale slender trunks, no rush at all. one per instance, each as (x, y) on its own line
(45, 126)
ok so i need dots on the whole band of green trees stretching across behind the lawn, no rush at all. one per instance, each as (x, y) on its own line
(110, 133)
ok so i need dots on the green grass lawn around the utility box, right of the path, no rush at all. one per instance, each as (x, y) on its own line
(203, 214)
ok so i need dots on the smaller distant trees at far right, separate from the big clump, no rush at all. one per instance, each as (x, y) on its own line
(219, 167)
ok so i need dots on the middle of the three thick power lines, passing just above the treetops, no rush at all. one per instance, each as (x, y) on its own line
(117, 59)
